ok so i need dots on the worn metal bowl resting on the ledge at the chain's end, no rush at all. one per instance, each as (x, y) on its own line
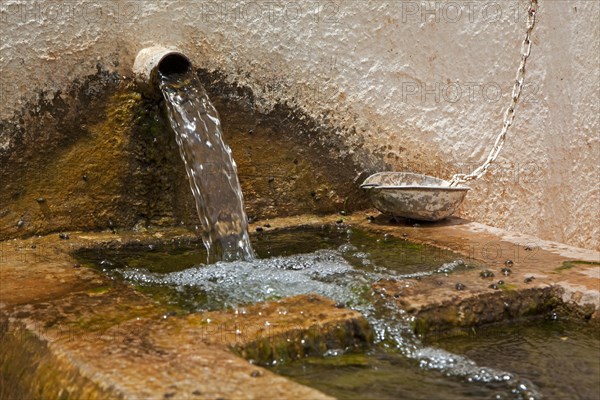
(416, 196)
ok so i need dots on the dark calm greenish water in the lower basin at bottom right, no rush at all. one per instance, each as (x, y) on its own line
(562, 358)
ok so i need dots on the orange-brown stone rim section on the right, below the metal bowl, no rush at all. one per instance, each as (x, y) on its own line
(531, 276)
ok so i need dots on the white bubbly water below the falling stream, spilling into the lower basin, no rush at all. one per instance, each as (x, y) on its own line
(329, 273)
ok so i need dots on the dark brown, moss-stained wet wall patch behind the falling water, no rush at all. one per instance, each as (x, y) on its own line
(107, 159)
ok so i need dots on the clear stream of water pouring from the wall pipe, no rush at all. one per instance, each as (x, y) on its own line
(210, 167)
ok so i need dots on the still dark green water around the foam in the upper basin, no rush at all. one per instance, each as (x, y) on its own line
(368, 252)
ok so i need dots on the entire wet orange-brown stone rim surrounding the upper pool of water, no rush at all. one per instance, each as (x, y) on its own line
(70, 332)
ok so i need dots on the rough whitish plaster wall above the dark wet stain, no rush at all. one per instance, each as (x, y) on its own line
(420, 85)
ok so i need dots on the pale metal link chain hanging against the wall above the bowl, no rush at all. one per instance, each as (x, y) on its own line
(509, 115)
